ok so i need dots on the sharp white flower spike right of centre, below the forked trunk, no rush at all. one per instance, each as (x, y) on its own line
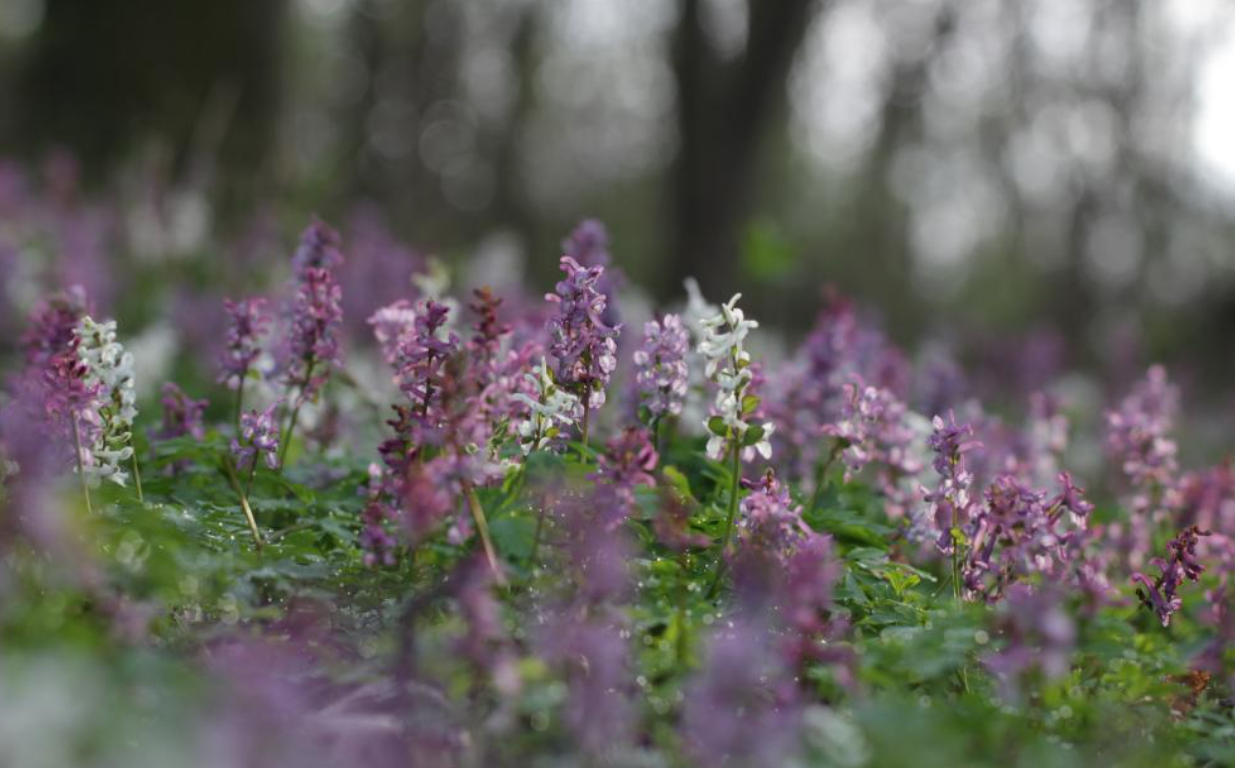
(729, 367)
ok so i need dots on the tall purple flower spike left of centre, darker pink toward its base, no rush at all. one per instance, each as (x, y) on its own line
(313, 344)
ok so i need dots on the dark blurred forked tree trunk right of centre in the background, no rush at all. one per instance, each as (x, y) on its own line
(723, 112)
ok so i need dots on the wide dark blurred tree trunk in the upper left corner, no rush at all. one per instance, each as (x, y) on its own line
(102, 78)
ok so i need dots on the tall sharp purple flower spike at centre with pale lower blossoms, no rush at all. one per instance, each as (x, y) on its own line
(585, 349)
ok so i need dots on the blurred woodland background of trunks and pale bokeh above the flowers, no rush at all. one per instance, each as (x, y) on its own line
(1048, 183)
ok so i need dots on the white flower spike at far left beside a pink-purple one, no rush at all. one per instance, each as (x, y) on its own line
(112, 370)
